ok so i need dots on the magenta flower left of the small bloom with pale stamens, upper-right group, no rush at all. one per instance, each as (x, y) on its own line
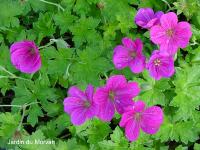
(129, 55)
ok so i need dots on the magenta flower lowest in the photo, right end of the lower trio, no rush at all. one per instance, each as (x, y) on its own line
(137, 116)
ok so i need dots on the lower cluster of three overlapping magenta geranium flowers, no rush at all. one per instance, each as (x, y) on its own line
(117, 95)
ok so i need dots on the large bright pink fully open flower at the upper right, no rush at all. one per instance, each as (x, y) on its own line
(171, 34)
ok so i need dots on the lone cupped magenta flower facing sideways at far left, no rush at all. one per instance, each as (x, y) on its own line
(25, 56)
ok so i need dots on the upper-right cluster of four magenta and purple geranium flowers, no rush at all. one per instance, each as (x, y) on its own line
(166, 31)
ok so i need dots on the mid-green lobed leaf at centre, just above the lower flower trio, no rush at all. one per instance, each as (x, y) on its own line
(89, 66)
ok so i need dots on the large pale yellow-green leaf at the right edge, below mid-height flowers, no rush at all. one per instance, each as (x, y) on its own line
(187, 87)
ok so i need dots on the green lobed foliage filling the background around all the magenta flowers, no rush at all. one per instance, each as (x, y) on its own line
(82, 38)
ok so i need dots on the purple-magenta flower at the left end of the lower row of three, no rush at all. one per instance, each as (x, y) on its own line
(80, 105)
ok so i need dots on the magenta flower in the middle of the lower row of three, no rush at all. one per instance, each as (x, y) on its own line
(116, 94)
